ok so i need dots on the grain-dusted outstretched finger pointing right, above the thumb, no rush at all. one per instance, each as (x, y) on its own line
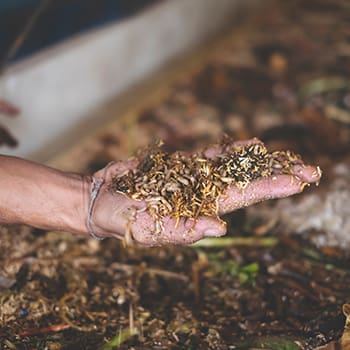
(278, 186)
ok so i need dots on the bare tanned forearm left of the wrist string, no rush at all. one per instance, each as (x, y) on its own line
(42, 197)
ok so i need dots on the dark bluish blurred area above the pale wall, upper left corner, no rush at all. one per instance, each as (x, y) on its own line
(53, 21)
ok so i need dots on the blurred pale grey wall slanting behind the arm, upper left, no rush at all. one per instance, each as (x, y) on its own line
(57, 88)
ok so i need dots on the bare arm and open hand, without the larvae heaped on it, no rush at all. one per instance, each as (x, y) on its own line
(47, 198)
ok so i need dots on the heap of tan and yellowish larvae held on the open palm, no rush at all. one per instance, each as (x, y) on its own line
(182, 186)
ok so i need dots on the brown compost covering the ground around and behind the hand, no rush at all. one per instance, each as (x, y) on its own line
(282, 77)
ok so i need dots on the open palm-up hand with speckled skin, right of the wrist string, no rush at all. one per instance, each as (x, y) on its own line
(116, 215)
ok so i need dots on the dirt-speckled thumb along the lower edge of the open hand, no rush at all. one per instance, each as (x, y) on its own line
(185, 232)
